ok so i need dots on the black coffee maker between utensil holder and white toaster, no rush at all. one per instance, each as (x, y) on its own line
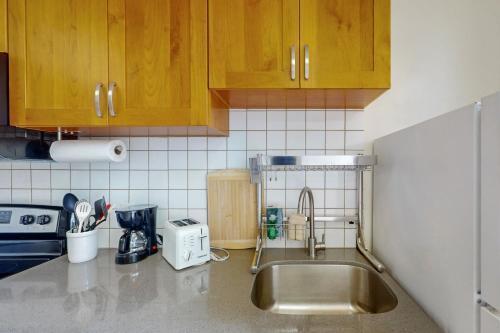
(139, 233)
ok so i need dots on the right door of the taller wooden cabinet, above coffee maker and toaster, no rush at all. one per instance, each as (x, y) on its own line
(158, 59)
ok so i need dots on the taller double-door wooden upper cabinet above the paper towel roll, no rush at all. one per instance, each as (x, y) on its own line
(139, 63)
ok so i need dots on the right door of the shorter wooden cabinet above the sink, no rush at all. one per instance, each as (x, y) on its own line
(348, 42)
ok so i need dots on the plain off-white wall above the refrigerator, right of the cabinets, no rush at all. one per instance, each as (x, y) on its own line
(445, 54)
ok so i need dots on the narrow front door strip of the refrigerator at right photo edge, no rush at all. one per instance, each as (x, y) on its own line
(489, 297)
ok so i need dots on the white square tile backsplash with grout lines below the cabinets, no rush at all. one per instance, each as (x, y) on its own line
(171, 171)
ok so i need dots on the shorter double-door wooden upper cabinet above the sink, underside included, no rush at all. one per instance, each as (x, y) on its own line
(342, 52)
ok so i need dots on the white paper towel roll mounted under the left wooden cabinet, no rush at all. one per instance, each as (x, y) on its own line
(88, 151)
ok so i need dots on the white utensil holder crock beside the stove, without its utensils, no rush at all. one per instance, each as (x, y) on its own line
(82, 246)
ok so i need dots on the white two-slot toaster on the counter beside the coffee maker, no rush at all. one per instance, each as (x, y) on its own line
(185, 243)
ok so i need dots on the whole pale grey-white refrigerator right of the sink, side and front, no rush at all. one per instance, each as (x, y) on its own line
(436, 214)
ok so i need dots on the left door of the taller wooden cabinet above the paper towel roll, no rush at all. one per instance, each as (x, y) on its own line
(57, 56)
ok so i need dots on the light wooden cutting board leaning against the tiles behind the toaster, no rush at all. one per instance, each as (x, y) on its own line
(232, 209)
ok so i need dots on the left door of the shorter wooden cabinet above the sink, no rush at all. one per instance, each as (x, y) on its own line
(251, 43)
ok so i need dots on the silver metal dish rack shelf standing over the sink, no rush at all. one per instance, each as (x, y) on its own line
(358, 163)
